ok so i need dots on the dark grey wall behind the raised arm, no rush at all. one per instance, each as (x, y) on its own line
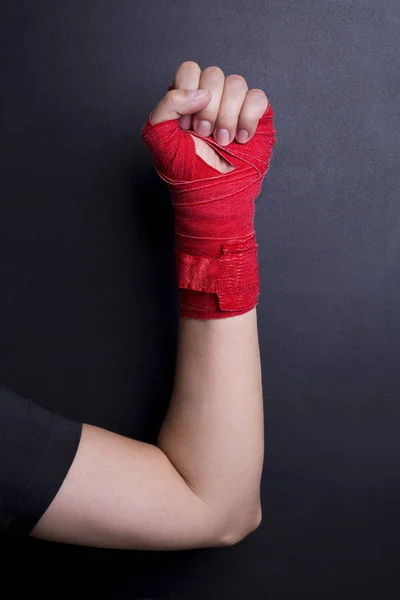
(88, 311)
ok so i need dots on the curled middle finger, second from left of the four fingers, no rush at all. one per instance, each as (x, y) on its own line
(213, 79)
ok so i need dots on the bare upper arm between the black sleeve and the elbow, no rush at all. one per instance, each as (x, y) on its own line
(123, 493)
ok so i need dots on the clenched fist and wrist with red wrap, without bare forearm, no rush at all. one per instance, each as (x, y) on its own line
(214, 176)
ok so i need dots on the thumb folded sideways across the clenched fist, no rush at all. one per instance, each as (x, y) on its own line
(176, 103)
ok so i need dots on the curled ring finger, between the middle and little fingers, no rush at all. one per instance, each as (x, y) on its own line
(234, 94)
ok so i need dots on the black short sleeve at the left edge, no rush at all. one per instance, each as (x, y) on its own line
(37, 448)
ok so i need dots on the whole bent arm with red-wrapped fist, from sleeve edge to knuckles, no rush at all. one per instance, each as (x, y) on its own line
(200, 486)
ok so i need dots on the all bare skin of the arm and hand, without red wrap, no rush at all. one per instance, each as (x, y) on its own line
(200, 485)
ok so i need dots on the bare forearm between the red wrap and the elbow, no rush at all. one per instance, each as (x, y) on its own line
(214, 429)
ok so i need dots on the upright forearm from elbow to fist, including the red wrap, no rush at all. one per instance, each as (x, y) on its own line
(213, 431)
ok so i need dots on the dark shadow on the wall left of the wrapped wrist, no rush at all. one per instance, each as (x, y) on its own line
(155, 225)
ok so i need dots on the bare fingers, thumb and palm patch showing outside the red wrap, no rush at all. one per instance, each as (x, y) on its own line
(229, 105)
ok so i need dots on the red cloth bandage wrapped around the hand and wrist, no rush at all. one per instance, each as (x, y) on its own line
(215, 249)
